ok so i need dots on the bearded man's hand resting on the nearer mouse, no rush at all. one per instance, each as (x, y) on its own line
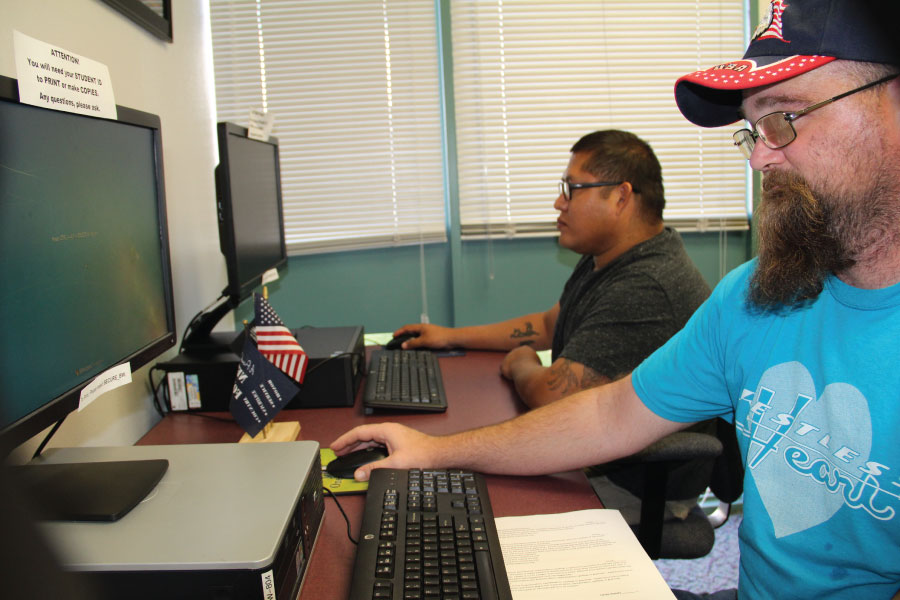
(408, 448)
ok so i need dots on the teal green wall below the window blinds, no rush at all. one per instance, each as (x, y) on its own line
(381, 289)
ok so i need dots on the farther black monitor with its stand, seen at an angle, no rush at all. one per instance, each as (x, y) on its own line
(251, 225)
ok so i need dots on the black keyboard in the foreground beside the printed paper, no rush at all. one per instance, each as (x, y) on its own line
(428, 534)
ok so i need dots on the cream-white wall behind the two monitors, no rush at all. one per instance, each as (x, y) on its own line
(174, 81)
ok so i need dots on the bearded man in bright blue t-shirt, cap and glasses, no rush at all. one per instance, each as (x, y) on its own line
(798, 347)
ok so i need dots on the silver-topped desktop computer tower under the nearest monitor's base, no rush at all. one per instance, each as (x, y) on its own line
(227, 521)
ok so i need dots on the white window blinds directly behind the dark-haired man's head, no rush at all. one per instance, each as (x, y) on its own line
(530, 78)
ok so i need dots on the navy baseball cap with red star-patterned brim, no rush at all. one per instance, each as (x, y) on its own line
(794, 37)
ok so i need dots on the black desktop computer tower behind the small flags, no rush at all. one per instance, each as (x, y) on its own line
(337, 361)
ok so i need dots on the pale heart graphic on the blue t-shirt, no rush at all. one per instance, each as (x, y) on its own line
(828, 432)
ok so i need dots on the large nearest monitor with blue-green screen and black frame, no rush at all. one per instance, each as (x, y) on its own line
(84, 256)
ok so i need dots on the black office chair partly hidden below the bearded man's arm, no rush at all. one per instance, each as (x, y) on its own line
(680, 466)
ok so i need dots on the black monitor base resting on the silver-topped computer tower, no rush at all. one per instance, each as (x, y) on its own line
(89, 491)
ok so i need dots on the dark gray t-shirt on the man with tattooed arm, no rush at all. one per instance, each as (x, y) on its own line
(612, 319)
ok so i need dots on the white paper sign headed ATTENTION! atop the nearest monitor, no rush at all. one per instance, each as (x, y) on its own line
(51, 77)
